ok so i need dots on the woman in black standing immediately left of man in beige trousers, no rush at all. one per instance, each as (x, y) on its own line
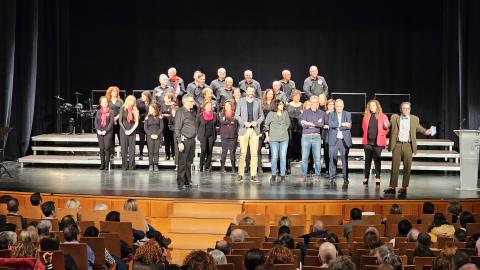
(228, 134)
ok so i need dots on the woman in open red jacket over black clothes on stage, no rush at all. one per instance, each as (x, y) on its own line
(375, 126)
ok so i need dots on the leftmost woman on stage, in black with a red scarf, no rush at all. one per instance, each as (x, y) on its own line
(104, 120)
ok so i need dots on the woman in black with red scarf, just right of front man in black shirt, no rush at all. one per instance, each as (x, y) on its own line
(207, 121)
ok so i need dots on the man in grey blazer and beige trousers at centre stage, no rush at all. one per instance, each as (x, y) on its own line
(249, 115)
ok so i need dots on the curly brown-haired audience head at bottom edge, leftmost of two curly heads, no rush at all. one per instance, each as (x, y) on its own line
(149, 256)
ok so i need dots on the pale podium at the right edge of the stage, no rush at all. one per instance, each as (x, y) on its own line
(469, 151)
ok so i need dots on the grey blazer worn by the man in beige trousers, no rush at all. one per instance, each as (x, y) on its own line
(241, 114)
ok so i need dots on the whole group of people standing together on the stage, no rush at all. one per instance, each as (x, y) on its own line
(293, 130)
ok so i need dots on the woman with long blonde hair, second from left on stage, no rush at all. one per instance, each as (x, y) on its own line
(128, 121)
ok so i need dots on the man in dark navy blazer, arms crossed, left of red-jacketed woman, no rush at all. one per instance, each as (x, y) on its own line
(339, 139)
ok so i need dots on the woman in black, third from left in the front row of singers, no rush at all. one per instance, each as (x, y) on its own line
(153, 126)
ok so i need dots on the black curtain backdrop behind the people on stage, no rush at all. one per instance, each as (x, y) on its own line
(58, 47)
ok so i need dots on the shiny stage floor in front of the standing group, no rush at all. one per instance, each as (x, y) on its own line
(215, 185)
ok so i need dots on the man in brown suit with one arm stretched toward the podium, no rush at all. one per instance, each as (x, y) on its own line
(403, 144)
